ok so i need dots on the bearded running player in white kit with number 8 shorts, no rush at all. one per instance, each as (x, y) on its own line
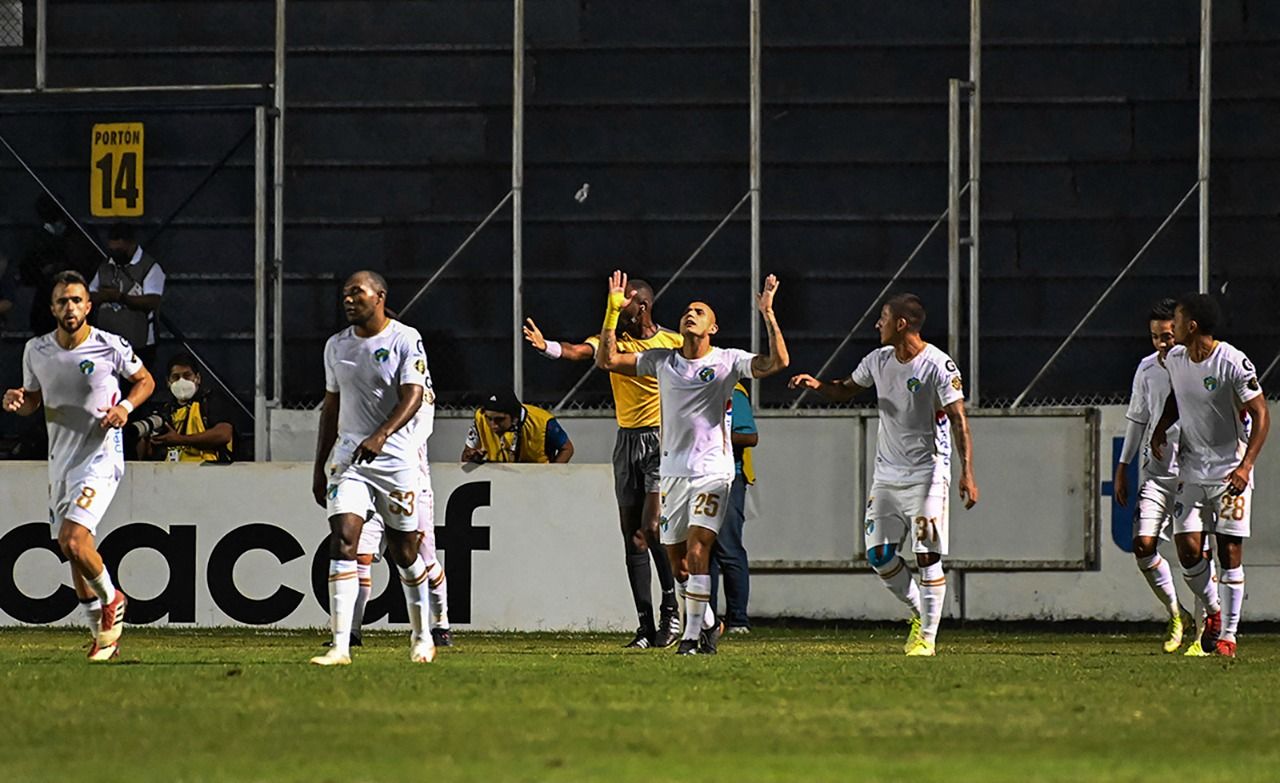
(74, 372)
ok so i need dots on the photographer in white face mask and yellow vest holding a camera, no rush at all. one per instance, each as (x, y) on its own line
(190, 431)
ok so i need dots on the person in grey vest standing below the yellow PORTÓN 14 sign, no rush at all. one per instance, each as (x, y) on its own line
(127, 292)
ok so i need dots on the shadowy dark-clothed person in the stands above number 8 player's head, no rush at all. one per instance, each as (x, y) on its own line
(54, 248)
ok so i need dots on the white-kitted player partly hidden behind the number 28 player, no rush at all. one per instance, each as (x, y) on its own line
(1158, 478)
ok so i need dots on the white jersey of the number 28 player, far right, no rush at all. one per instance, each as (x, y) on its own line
(1210, 396)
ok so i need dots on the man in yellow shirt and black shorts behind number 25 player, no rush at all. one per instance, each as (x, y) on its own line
(637, 455)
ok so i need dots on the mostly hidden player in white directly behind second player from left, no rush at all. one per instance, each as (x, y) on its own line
(373, 544)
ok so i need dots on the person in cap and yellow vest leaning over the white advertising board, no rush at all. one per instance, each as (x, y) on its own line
(505, 431)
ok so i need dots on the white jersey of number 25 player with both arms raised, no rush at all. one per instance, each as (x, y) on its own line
(697, 409)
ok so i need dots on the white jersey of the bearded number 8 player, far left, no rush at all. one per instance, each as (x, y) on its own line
(75, 384)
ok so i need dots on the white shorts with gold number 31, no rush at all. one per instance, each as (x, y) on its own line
(922, 511)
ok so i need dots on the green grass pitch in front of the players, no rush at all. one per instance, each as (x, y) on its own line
(776, 706)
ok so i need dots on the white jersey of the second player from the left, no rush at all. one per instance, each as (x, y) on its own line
(368, 373)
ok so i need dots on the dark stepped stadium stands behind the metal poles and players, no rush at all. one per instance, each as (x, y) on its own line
(399, 143)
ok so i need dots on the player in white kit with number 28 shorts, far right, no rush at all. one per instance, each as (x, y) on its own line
(1223, 416)
